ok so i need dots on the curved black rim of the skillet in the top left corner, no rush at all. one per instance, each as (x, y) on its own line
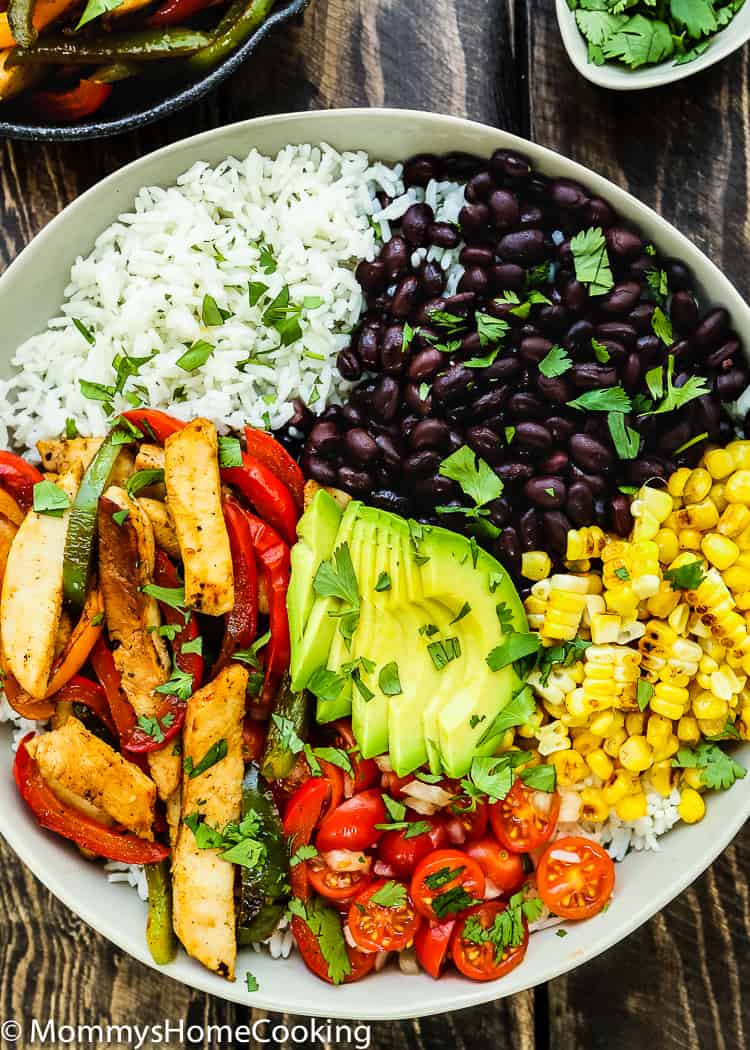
(182, 97)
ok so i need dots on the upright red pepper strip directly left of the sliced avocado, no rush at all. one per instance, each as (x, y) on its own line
(274, 559)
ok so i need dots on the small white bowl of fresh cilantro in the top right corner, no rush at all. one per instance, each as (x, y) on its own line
(631, 45)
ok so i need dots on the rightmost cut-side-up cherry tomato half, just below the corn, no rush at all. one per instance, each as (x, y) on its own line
(575, 877)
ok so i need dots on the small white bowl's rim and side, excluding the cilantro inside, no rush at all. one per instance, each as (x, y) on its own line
(619, 78)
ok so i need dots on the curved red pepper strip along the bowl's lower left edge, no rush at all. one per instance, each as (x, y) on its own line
(88, 834)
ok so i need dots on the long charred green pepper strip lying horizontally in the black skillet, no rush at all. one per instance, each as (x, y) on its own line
(147, 46)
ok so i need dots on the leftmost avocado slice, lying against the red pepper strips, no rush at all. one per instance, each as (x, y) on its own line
(317, 535)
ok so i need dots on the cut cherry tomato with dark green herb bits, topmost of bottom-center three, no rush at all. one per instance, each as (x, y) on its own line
(446, 884)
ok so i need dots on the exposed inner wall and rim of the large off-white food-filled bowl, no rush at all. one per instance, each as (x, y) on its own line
(645, 884)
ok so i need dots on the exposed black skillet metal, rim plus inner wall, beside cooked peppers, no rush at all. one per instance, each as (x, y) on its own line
(141, 101)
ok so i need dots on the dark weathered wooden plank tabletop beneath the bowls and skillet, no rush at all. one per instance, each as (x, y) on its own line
(682, 980)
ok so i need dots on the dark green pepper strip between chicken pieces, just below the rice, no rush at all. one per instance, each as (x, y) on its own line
(82, 527)
